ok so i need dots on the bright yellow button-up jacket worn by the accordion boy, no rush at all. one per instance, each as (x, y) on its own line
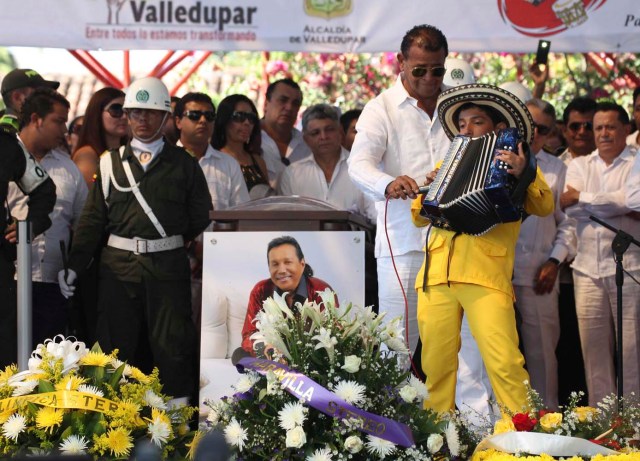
(485, 260)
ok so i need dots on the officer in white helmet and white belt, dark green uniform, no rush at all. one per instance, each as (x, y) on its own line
(150, 198)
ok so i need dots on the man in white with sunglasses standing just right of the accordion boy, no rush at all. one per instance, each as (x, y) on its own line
(543, 244)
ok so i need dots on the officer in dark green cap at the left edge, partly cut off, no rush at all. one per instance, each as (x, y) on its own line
(17, 165)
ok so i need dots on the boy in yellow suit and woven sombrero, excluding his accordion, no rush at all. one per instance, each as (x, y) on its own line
(469, 274)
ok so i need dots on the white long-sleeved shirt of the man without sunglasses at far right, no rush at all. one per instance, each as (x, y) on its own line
(602, 194)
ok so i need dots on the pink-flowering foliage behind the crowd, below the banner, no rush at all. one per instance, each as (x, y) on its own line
(351, 80)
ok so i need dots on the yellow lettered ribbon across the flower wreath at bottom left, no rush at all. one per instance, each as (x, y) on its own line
(64, 399)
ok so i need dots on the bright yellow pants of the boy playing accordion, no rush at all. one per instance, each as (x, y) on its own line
(491, 317)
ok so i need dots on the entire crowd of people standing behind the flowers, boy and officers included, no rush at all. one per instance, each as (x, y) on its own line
(133, 181)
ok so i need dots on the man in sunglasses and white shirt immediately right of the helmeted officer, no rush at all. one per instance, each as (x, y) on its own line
(194, 115)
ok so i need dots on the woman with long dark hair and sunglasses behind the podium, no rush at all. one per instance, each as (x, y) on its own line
(237, 133)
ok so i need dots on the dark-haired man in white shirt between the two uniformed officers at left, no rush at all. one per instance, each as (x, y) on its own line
(44, 118)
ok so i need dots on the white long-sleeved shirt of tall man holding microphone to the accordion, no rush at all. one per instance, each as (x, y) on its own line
(395, 137)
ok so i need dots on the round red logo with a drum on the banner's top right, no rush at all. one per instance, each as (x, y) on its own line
(542, 18)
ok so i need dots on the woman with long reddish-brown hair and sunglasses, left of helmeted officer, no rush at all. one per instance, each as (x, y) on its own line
(105, 127)
